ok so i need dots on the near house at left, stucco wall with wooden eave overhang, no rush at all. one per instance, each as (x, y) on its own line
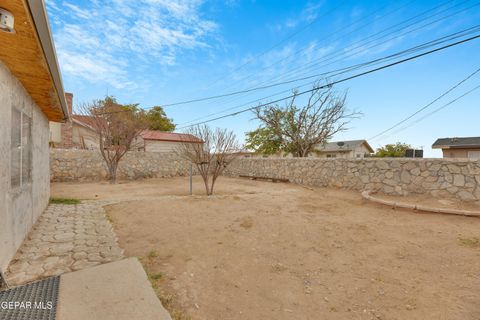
(31, 94)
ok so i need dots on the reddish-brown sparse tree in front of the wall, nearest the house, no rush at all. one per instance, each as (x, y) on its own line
(117, 128)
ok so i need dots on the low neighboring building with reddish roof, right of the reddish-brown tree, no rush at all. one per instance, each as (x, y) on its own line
(165, 142)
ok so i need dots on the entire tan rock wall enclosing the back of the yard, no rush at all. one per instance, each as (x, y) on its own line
(450, 178)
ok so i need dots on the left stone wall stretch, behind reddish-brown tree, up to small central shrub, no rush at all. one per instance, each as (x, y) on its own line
(88, 165)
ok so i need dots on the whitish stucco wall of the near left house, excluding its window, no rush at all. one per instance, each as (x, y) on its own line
(20, 207)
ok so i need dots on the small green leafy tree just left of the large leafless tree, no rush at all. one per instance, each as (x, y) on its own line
(263, 140)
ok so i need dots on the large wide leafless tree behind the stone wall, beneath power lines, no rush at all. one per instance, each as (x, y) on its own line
(301, 129)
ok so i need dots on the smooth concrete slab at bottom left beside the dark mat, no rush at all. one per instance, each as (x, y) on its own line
(113, 291)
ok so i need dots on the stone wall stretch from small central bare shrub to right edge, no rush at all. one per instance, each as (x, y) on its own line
(437, 177)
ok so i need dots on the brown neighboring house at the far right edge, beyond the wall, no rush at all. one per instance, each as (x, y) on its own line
(468, 148)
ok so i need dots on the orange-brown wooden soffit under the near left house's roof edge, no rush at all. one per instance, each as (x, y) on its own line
(27, 58)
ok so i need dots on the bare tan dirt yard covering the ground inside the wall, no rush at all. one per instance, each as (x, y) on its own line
(262, 250)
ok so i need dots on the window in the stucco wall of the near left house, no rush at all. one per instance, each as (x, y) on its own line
(21, 149)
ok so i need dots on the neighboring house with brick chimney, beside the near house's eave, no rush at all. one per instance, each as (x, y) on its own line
(76, 133)
